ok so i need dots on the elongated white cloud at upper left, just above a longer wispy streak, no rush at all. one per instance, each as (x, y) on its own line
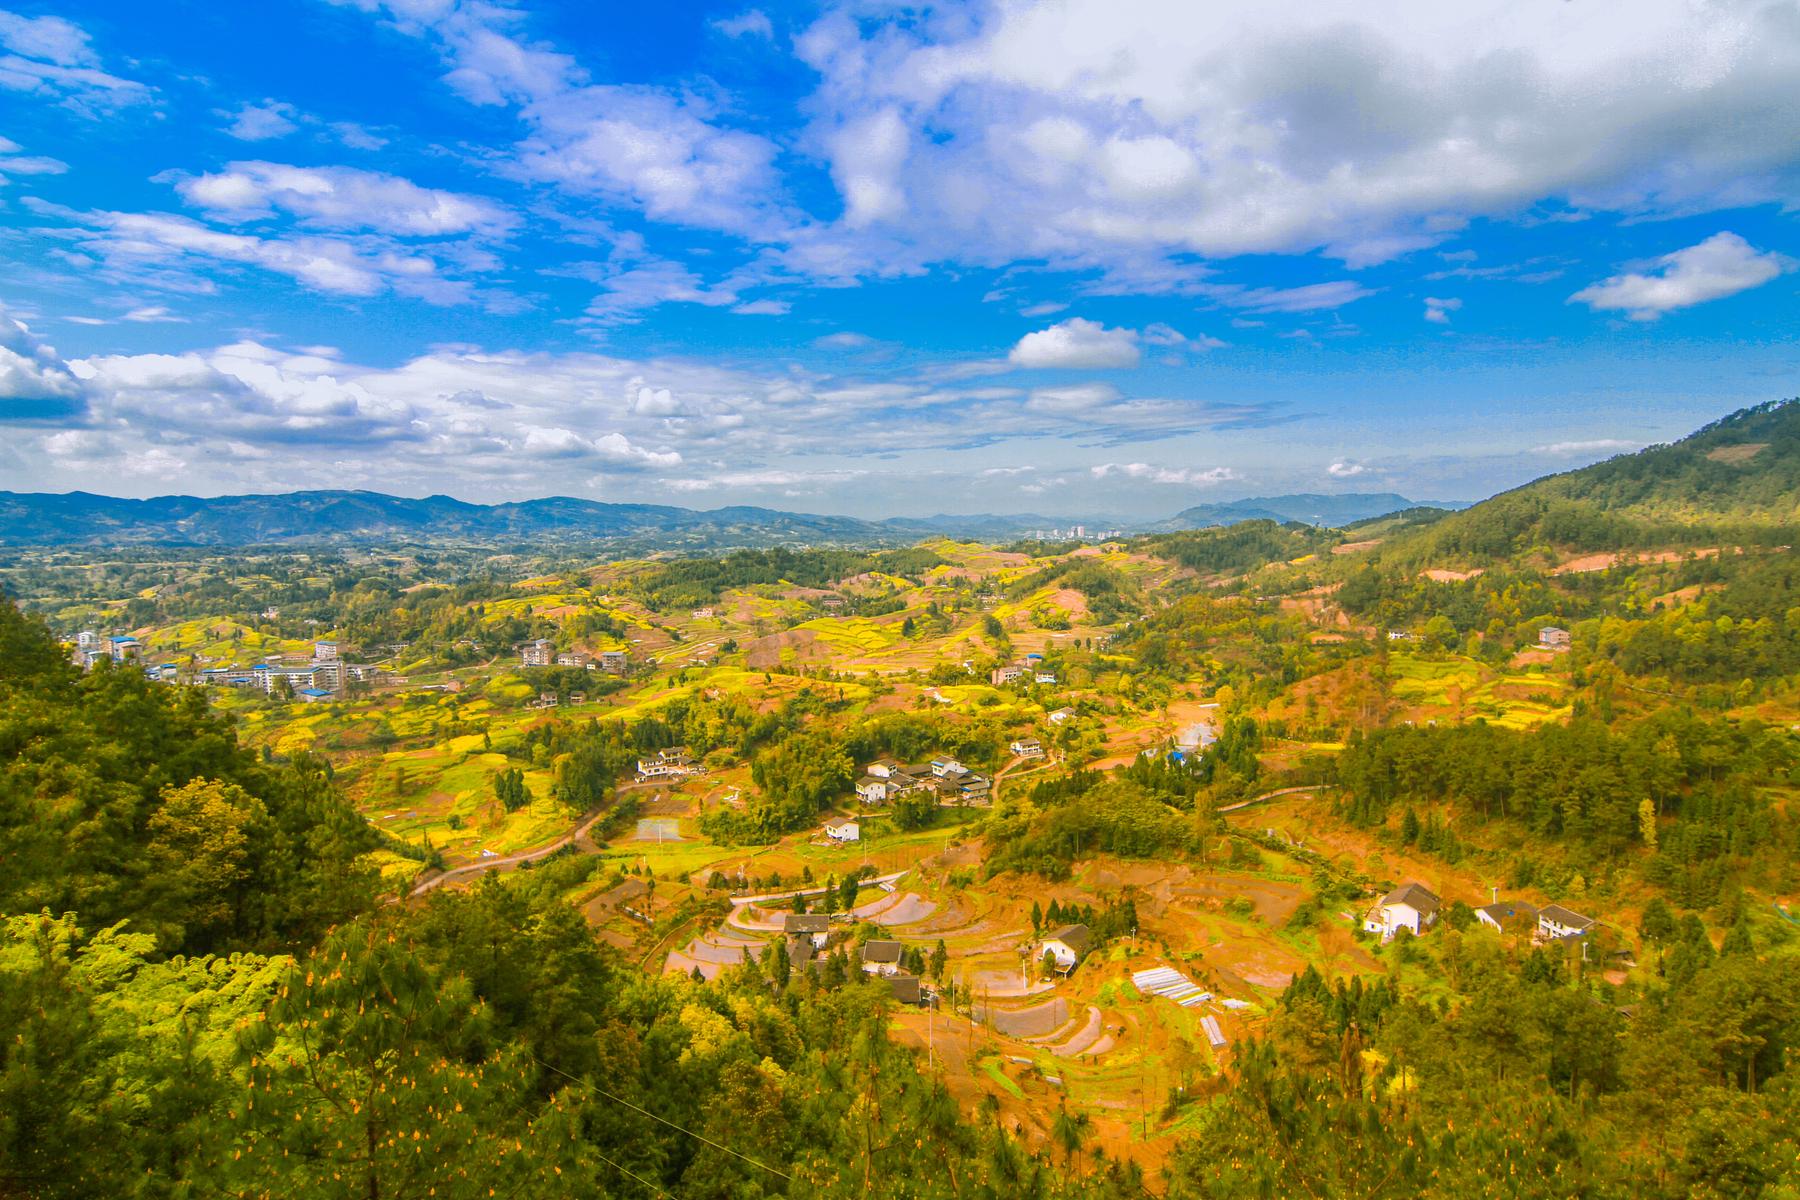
(343, 199)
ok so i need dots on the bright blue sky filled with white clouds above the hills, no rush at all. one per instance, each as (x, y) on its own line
(1086, 258)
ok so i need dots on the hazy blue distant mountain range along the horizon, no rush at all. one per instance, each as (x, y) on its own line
(366, 517)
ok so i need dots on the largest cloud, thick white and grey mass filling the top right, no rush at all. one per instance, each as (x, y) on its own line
(1065, 134)
